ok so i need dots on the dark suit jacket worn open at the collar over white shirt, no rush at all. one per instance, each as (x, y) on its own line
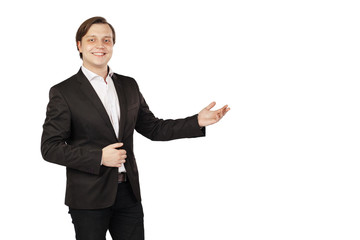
(77, 127)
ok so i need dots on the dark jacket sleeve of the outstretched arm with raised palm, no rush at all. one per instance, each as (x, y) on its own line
(163, 130)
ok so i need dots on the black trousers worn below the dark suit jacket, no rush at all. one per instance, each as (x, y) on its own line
(124, 219)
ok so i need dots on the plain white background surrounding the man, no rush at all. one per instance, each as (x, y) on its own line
(284, 162)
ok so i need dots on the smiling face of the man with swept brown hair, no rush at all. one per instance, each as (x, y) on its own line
(97, 46)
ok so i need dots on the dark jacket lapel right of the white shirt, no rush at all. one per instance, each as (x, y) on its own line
(122, 103)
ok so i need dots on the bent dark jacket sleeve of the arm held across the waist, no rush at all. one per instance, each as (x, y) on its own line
(56, 133)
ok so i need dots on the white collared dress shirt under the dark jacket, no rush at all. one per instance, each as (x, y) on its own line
(108, 96)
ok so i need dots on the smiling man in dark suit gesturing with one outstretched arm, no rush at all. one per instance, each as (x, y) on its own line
(89, 127)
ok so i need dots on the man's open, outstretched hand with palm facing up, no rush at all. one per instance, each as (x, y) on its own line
(207, 117)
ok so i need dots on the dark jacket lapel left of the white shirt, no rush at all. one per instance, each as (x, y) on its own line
(89, 91)
